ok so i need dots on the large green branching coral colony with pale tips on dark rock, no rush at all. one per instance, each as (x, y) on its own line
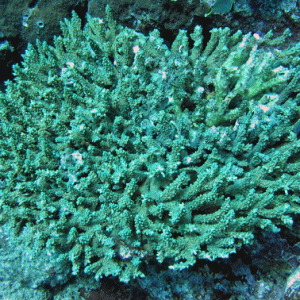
(116, 149)
